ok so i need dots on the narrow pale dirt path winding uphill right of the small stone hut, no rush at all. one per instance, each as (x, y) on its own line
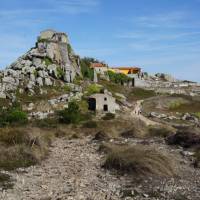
(136, 113)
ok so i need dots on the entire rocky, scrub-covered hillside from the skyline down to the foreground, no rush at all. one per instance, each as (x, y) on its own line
(70, 131)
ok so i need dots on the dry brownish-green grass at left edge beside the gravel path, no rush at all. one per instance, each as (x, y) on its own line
(23, 147)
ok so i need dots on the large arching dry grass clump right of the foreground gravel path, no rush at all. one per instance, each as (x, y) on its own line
(138, 160)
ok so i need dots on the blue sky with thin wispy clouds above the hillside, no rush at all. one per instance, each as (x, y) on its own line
(157, 35)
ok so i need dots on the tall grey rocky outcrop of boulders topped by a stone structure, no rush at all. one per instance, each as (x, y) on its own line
(52, 58)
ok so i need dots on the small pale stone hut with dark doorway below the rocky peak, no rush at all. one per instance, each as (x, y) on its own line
(103, 102)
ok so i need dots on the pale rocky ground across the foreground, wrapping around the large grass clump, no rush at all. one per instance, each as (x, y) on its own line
(73, 172)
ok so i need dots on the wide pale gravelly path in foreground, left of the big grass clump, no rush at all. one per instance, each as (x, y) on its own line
(72, 172)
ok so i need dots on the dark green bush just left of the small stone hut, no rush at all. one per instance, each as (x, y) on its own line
(70, 115)
